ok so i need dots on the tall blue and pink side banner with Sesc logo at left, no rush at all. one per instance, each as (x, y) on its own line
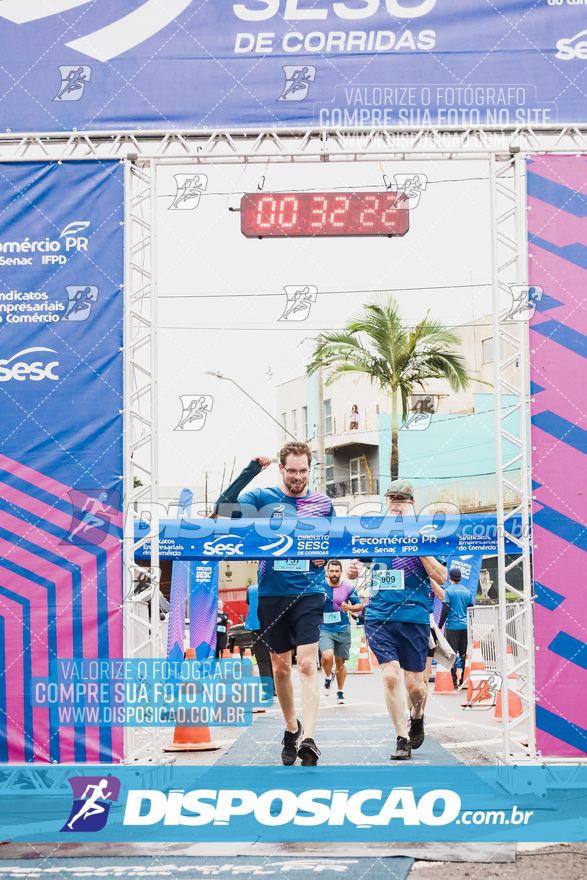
(61, 314)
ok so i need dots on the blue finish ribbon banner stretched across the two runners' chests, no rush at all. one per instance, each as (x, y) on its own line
(315, 537)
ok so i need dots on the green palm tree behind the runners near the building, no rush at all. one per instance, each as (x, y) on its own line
(395, 356)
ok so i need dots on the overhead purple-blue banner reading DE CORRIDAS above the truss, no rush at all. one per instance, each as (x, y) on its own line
(76, 64)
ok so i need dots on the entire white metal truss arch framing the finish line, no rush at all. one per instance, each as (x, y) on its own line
(503, 148)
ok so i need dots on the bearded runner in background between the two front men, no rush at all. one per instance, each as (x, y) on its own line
(335, 635)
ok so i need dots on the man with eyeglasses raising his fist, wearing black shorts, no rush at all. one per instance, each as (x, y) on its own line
(292, 592)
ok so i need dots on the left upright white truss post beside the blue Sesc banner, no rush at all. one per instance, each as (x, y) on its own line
(141, 621)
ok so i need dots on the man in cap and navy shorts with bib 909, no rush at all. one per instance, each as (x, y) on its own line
(397, 623)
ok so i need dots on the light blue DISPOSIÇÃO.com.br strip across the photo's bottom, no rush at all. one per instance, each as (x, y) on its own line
(289, 804)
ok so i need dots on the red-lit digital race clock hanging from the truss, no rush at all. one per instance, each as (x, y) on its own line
(285, 215)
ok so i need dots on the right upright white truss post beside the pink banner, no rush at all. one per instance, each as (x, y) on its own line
(510, 351)
